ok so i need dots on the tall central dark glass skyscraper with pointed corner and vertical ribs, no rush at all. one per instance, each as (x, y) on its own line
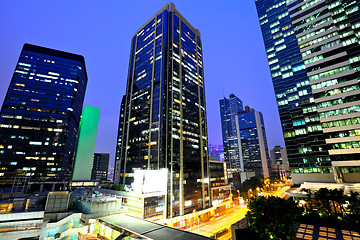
(163, 115)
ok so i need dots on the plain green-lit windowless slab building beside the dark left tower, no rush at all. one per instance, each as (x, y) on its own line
(86, 144)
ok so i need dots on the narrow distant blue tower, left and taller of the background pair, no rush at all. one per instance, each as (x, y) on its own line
(229, 109)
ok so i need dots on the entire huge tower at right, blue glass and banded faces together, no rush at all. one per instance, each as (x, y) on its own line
(313, 54)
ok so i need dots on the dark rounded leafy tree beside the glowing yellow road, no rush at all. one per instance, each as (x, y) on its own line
(273, 217)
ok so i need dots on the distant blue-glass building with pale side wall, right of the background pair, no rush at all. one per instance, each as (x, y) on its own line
(253, 149)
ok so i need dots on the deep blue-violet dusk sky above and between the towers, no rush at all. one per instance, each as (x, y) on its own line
(234, 55)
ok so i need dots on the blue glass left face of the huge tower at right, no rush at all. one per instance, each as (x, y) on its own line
(302, 129)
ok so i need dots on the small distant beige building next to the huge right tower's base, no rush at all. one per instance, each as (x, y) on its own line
(279, 163)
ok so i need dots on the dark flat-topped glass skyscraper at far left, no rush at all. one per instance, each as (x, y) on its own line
(40, 116)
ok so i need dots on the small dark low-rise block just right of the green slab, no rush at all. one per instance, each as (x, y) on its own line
(100, 166)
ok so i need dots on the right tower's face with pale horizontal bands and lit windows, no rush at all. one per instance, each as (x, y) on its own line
(328, 34)
